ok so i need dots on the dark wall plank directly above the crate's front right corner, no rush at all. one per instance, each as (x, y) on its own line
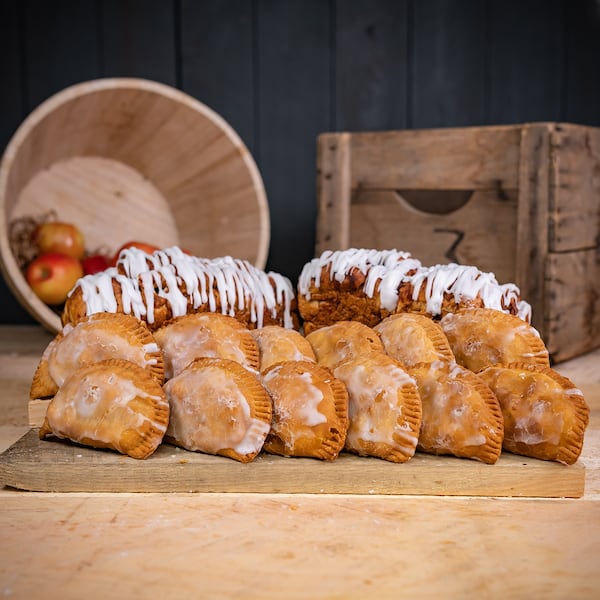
(526, 54)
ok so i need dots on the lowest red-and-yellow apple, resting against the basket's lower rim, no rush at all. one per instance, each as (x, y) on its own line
(52, 276)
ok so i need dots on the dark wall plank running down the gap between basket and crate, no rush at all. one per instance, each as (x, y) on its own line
(294, 107)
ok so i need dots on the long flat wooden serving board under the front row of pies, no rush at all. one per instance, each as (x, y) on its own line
(61, 466)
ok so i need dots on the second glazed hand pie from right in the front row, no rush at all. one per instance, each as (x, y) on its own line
(461, 415)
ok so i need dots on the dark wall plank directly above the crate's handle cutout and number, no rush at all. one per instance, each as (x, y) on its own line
(449, 68)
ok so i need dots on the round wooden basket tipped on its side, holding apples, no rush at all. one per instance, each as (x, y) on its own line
(131, 159)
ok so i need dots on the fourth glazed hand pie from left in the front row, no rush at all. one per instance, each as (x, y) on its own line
(384, 407)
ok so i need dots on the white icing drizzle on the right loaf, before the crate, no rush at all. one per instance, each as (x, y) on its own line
(385, 271)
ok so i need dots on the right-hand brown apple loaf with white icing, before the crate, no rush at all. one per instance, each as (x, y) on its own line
(369, 285)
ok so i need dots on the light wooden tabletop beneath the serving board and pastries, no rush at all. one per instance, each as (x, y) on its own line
(183, 545)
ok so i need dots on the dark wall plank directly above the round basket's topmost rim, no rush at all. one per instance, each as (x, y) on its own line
(138, 39)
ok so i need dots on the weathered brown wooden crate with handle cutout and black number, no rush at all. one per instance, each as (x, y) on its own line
(522, 201)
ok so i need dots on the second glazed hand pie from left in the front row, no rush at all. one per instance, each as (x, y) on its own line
(218, 407)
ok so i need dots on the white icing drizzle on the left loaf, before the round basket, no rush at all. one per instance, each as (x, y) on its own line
(182, 279)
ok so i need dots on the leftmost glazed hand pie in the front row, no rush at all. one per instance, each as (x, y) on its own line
(109, 404)
